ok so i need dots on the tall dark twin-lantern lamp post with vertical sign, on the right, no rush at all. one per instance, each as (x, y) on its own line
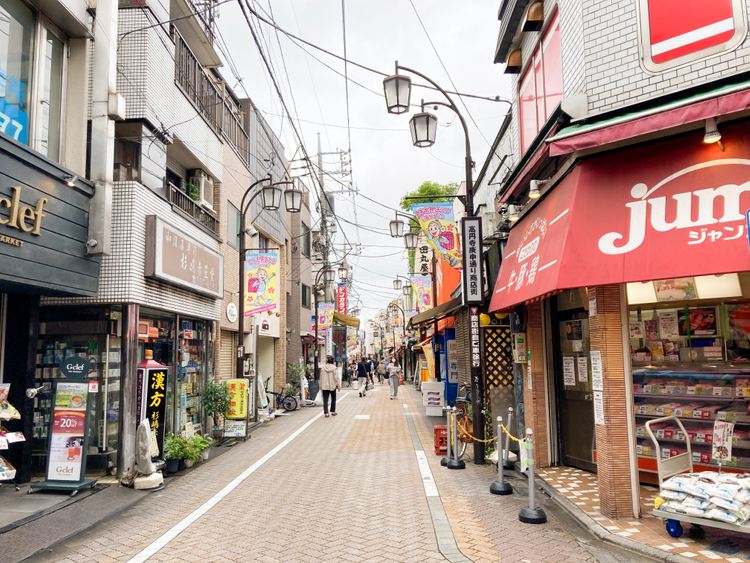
(423, 127)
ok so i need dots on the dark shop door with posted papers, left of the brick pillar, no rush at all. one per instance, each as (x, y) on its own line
(575, 398)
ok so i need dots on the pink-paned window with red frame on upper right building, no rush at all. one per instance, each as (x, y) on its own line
(541, 85)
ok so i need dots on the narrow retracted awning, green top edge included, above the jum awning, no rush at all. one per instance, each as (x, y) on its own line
(722, 100)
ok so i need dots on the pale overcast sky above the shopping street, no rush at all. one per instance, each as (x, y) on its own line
(385, 165)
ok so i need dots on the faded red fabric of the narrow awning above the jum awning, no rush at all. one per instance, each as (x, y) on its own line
(636, 126)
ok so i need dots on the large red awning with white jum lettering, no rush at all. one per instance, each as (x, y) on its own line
(670, 209)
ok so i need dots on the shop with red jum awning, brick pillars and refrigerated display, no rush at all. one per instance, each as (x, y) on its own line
(630, 280)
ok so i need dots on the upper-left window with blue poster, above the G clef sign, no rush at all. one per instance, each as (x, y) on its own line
(31, 109)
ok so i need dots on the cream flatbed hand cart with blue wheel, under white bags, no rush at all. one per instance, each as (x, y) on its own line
(674, 466)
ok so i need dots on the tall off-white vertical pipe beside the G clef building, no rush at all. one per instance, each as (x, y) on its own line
(102, 139)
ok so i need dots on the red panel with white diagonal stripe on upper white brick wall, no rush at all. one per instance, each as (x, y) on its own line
(675, 30)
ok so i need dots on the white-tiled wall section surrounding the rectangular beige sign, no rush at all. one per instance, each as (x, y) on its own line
(122, 272)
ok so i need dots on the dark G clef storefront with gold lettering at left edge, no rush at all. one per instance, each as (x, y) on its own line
(43, 235)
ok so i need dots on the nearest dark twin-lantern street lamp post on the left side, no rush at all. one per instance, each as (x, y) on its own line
(271, 197)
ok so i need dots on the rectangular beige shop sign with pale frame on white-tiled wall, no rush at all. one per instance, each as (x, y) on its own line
(174, 257)
